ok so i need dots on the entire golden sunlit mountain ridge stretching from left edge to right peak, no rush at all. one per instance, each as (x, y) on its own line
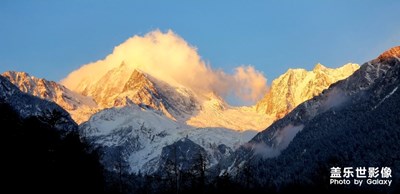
(123, 86)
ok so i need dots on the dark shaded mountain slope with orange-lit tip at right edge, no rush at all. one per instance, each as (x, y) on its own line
(353, 123)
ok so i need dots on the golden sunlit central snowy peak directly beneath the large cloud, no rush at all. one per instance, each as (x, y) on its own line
(125, 85)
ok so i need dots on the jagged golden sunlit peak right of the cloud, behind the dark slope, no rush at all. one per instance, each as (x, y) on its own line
(298, 85)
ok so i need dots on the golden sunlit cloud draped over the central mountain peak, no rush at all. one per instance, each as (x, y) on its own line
(170, 58)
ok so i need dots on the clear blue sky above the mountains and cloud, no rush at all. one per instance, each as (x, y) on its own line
(51, 38)
